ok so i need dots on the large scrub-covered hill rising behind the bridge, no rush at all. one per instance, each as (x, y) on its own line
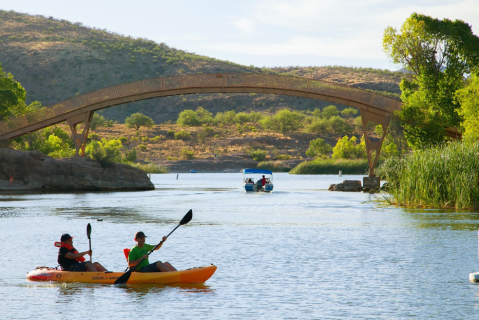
(56, 59)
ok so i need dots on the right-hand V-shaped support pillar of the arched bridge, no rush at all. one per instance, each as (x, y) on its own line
(374, 145)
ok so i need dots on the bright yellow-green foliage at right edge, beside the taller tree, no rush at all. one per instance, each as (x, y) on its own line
(468, 98)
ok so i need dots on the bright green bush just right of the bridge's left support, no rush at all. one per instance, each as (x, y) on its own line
(106, 152)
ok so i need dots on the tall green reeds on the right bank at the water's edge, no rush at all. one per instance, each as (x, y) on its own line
(445, 176)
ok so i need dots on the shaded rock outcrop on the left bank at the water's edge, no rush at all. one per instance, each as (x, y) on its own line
(34, 171)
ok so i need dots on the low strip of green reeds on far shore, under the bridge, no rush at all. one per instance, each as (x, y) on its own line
(330, 166)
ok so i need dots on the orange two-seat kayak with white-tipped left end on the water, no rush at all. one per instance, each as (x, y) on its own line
(194, 275)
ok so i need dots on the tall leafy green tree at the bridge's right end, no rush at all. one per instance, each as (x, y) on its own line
(439, 54)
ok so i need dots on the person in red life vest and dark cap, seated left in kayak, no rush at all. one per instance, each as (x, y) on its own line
(72, 260)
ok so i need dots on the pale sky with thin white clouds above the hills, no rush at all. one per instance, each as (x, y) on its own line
(262, 33)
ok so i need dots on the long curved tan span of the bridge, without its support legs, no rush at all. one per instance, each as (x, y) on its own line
(249, 80)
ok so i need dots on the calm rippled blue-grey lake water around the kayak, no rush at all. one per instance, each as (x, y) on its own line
(299, 253)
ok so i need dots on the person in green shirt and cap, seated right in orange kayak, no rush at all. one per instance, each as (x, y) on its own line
(140, 251)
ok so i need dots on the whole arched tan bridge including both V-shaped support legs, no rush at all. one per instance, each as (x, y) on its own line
(79, 109)
